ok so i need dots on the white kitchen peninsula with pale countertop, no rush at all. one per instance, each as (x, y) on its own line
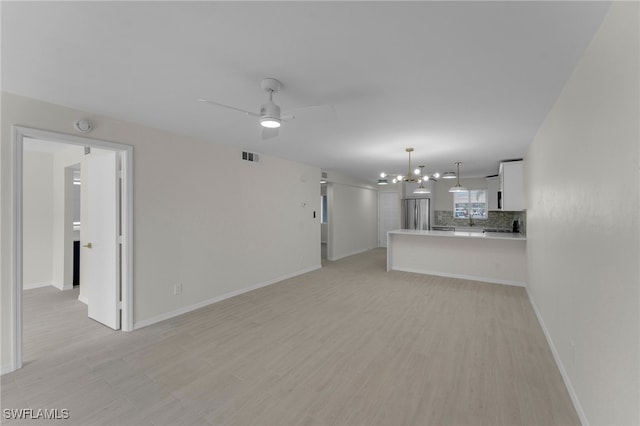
(499, 258)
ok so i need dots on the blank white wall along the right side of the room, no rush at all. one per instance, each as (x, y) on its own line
(582, 178)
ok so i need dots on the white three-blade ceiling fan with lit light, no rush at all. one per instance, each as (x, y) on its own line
(270, 115)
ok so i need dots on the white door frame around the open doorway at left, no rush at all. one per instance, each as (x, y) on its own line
(126, 152)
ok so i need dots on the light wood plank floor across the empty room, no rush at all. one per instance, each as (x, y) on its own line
(350, 344)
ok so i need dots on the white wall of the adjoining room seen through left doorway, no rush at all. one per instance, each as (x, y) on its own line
(38, 219)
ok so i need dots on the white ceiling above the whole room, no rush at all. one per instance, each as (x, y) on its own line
(457, 81)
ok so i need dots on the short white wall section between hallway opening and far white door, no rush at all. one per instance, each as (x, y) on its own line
(353, 216)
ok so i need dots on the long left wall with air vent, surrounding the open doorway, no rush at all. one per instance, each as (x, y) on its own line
(191, 225)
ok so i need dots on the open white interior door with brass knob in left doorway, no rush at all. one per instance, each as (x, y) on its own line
(101, 246)
